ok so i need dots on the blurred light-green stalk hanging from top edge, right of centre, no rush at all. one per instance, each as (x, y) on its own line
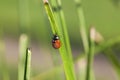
(82, 25)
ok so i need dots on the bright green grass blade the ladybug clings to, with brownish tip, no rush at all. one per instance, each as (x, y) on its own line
(67, 62)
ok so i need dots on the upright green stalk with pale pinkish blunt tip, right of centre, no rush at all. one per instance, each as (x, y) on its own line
(90, 57)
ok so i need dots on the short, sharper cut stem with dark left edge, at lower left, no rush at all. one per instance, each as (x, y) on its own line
(27, 65)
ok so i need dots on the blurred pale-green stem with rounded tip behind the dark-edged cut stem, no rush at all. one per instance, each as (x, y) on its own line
(23, 44)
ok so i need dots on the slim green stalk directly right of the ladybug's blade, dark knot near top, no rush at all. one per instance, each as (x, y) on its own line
(64, 29)
